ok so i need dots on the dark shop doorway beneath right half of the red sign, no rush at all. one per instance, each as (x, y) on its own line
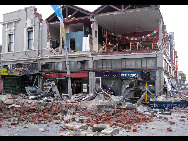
(76, 85)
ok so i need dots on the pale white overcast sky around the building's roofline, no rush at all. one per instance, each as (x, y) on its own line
(173, 16)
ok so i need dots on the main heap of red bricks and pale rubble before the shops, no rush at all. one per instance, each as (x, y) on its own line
(75, 114)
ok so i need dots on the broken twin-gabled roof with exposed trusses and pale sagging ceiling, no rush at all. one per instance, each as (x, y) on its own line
(119, 19)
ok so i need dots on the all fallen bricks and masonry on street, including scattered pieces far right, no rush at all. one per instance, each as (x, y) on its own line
(77, 118)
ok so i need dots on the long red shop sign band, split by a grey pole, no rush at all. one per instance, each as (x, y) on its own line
(63, 75)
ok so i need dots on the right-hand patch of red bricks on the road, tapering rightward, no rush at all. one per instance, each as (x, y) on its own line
(114, 117)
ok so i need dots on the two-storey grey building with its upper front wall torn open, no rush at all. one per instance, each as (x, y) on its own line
(107, 48)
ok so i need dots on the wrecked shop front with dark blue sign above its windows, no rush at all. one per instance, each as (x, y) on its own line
(118, 82)
